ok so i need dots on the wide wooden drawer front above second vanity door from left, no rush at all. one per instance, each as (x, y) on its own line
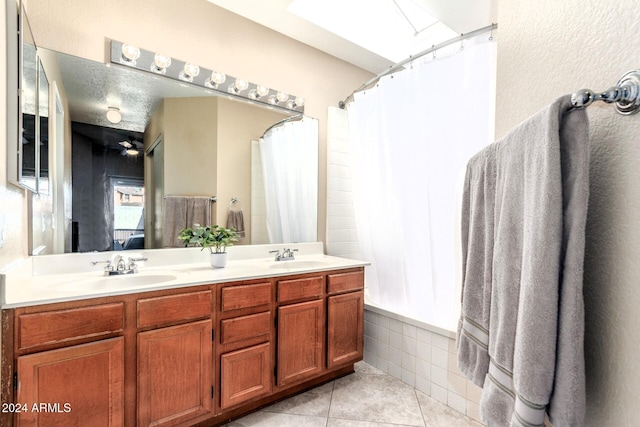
(174, 308)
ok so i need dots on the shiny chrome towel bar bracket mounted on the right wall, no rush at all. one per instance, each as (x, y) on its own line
(625, 94)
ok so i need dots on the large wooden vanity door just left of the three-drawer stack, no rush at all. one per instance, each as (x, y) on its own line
(175, 374)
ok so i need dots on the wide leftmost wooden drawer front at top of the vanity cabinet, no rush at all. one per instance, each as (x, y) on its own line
(69, 324)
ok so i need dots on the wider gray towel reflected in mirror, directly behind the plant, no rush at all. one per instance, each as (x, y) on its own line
(182, 212)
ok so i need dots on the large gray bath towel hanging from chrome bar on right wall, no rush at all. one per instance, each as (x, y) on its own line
(522, 323)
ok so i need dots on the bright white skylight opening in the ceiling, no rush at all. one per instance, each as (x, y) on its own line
(393, 29)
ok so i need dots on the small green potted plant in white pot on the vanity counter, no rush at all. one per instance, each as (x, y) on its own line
(214, 238)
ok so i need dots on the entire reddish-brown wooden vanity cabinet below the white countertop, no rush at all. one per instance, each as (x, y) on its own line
(193, 356)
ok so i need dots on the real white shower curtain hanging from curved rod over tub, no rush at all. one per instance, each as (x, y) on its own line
(410, 139)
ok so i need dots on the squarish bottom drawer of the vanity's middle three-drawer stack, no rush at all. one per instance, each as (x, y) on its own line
(245, 374)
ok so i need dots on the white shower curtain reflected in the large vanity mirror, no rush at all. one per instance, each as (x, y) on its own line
(290, 168)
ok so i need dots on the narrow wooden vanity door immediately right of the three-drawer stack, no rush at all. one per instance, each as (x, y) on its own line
(300, 341)
